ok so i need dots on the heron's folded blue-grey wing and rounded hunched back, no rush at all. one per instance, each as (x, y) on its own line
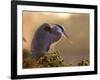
(41, 39)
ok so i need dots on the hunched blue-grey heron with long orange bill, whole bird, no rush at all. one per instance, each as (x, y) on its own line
(46, 35)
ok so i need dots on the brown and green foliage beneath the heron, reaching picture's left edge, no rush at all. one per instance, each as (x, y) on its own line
(48, 60)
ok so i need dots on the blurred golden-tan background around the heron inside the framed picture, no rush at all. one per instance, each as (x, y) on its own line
(76, 26)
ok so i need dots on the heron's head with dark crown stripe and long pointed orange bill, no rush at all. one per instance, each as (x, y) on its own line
(60, 29)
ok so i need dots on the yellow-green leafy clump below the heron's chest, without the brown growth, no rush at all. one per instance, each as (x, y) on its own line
(51, 60)
